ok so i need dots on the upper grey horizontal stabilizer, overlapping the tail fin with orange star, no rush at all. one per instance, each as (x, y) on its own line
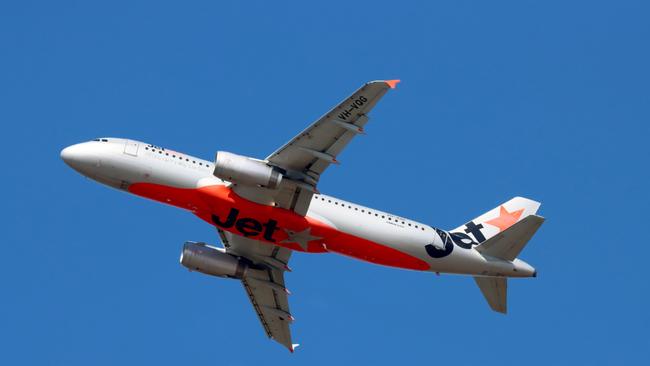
(509, 243)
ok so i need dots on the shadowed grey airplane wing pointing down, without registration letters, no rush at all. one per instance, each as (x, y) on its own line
(264, 284)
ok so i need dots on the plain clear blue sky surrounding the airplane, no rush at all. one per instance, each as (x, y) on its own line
(546, 99)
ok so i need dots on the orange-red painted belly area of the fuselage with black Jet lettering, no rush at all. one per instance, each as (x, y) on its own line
(262, 222)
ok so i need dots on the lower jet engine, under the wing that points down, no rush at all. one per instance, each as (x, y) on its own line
(213, 261)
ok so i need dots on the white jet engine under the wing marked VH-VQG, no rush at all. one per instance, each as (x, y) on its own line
(246, 171)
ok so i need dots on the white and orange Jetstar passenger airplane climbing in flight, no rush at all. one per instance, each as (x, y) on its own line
(264, 210)
